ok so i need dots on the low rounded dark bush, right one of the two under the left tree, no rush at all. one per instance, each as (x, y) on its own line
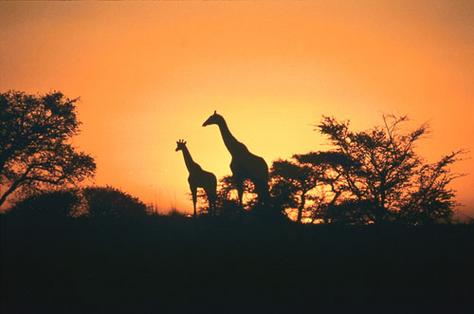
(111, 202)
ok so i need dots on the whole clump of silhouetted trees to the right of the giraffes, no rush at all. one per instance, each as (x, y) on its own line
(370, 176)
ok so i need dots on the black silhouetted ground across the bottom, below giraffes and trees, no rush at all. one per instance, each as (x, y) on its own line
(156, 264)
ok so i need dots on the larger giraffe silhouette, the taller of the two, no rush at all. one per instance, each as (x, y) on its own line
(244, 164)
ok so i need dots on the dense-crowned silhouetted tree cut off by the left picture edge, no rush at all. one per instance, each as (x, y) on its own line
(35, 151)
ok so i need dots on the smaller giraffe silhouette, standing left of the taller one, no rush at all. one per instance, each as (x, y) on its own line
(199, 178)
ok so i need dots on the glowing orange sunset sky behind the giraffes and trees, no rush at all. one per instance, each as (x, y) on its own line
(151, 73)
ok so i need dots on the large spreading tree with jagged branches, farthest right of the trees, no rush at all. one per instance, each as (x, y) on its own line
(381, 168)
